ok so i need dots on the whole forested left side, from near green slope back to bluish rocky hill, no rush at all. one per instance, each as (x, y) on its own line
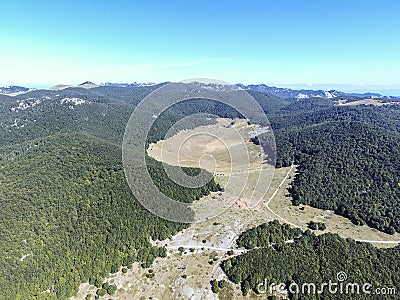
(67, 214)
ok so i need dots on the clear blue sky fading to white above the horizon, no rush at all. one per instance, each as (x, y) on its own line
(352, 43)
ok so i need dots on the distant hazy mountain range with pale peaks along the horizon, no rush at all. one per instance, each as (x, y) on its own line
(276, 91)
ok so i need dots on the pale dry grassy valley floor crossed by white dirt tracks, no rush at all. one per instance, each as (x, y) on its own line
(195, 253)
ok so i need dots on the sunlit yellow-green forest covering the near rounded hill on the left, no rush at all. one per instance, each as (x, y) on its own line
(68, 216)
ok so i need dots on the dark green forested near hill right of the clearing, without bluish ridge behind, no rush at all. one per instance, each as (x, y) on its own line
(349, 167)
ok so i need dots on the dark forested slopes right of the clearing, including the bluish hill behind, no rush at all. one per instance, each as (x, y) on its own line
(347, 157)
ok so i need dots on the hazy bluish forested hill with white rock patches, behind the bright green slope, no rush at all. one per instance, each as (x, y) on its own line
(41, 113)
